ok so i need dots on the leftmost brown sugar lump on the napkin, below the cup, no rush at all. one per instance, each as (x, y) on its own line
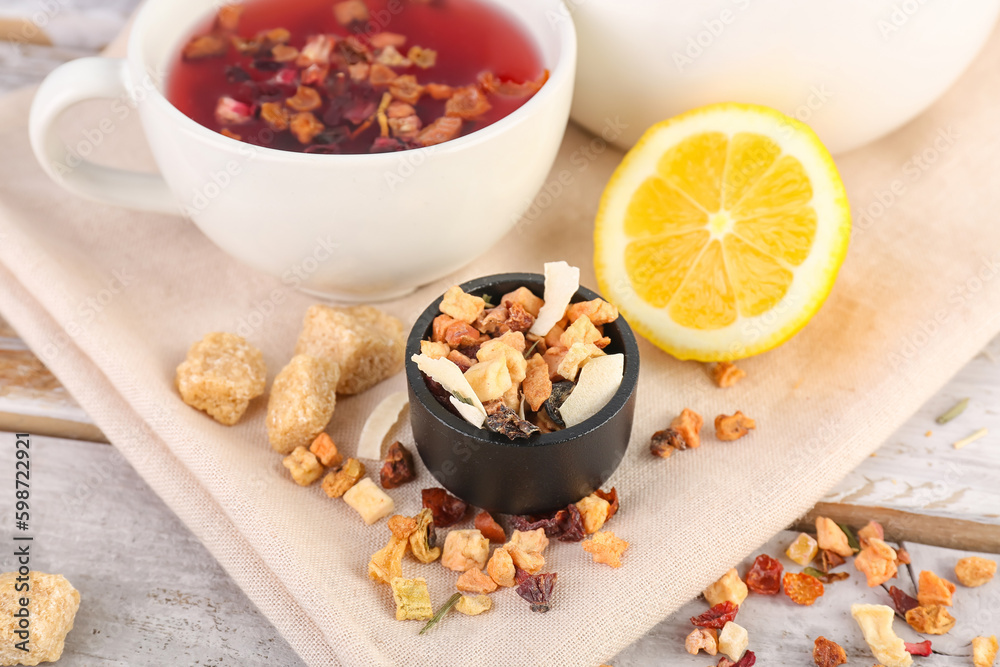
(221, 374)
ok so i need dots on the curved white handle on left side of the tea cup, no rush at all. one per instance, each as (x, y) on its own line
(76, 81)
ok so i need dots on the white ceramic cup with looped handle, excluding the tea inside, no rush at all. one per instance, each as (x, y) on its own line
(350, 227)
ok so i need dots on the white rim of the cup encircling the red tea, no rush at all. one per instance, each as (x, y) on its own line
(562, 73)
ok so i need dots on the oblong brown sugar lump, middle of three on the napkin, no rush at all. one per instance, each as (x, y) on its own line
(302, 400)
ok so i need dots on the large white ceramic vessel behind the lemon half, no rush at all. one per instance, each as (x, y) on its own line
(853, 70)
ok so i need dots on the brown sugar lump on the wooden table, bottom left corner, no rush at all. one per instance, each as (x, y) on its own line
(51, 604)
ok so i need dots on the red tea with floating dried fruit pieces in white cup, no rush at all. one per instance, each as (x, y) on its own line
(355, 76)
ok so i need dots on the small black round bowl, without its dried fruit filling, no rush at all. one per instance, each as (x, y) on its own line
(543, 473)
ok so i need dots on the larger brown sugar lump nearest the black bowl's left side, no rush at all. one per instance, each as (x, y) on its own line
(366, 343)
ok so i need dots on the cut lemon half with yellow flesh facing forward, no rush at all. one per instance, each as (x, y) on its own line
(721, 232)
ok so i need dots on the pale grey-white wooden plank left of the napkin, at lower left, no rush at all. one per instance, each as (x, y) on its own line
(151, 594)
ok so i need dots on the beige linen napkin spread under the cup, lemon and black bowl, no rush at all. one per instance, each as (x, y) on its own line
(111, 299)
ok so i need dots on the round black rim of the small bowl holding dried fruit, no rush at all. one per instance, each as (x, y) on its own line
(618, 402)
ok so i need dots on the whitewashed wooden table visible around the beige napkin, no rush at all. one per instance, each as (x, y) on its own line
(153, 595)
